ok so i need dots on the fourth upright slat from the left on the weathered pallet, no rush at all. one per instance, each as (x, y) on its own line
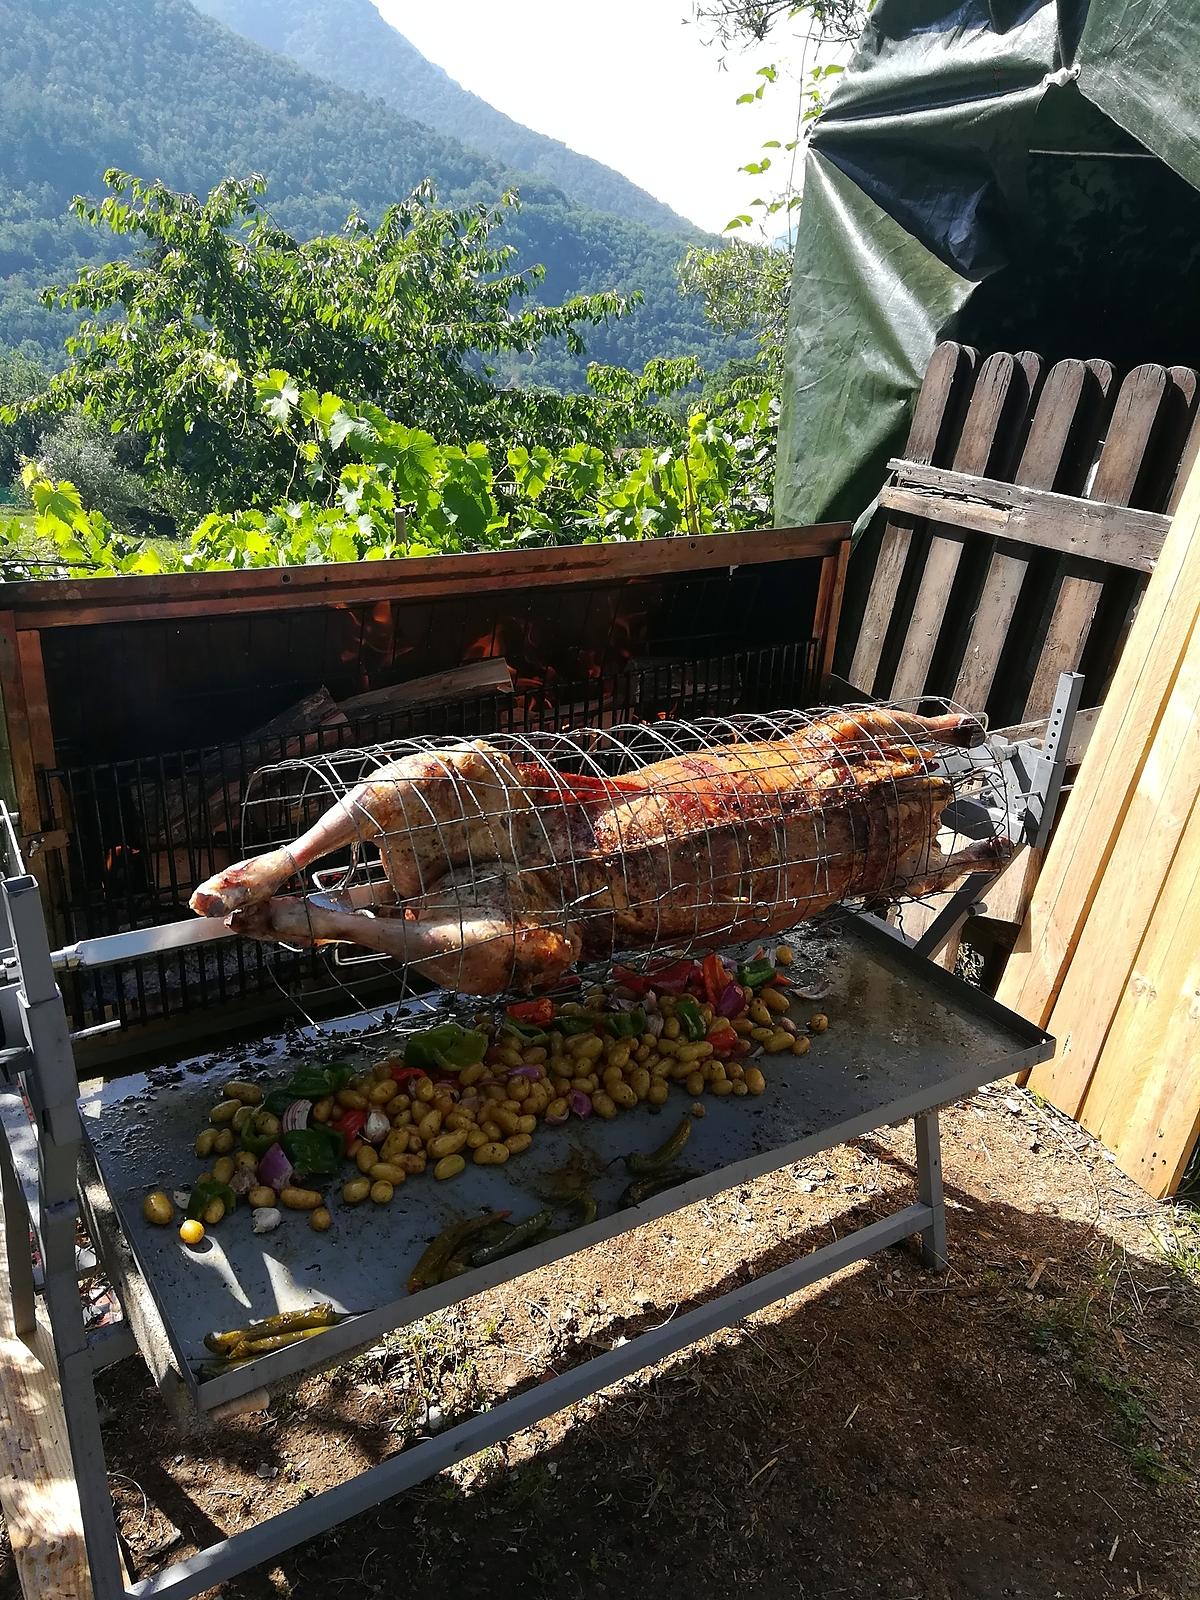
(1118, 474)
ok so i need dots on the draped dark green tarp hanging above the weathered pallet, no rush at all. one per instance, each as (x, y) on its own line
(1020, 175)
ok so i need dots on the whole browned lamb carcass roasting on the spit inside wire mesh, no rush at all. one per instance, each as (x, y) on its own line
(502, 871)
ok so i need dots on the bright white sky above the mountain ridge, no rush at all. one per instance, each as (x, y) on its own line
(623, 81)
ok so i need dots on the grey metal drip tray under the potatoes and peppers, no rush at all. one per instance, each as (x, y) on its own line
(905, 1038)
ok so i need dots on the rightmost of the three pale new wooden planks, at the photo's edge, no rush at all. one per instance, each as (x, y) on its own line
(1145, 1098)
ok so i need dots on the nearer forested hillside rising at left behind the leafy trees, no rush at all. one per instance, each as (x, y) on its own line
(166, 92)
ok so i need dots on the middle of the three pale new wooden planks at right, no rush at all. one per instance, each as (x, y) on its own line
(1127, 894)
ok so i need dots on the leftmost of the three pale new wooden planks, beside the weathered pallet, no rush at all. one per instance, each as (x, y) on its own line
(1111, 770)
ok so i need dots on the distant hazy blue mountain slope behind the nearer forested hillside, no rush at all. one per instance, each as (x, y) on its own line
(350, 44)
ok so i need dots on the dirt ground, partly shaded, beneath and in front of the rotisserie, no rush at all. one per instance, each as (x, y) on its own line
(1025, 1426)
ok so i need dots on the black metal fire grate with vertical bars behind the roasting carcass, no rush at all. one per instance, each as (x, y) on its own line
(143, 833)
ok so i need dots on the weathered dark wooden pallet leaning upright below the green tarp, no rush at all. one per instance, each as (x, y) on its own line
(1017, 538)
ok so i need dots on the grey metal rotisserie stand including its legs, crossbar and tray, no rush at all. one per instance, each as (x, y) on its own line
(908, 1039)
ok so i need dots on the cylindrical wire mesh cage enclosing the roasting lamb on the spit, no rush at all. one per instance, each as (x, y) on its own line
(494, 866)
